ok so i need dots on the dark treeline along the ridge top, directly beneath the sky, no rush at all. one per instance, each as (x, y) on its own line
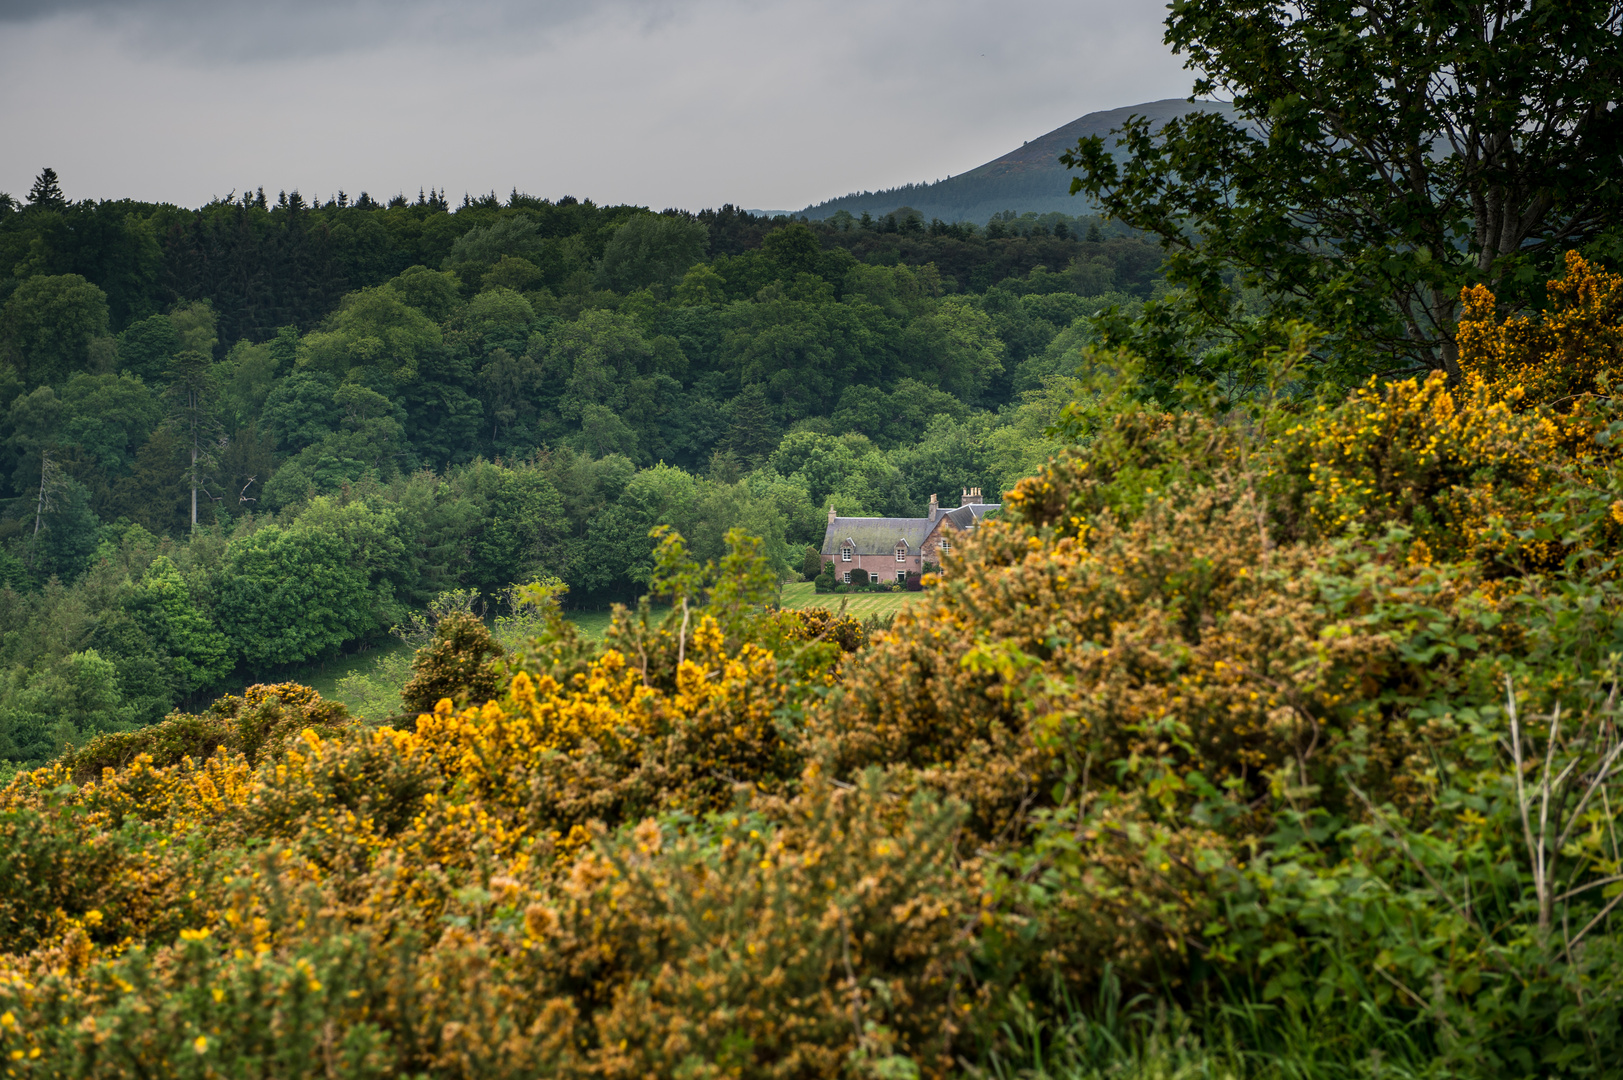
(270, 262)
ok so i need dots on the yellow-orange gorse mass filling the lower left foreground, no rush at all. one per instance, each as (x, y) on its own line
(418, 891)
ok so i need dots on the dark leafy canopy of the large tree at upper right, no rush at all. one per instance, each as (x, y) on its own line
(1380, 158)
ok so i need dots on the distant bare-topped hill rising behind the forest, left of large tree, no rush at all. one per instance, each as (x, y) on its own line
(1025, 179)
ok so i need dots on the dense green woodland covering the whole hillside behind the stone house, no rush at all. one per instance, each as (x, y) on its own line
(264, 433)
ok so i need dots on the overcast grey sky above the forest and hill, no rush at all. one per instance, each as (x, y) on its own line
(666, 103)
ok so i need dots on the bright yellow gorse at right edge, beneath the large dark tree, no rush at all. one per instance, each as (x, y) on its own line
(1471, 470)
